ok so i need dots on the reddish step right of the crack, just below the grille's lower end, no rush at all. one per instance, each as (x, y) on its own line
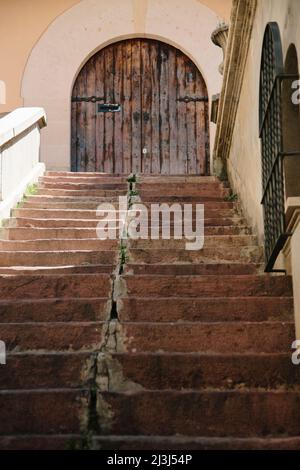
(205, 286)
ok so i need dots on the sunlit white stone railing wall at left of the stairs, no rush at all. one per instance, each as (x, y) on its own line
(19, 155)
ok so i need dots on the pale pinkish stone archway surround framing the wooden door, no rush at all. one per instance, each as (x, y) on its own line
(88, 27)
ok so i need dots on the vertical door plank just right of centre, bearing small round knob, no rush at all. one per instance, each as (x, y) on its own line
(146, 106)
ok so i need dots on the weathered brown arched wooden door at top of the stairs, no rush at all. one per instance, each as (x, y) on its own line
(140, 106)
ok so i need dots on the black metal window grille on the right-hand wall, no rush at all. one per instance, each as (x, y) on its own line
(271, 80)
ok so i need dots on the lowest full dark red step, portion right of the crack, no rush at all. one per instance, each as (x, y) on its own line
(211, 413)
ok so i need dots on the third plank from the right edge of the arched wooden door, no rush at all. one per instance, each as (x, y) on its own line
(181, 116)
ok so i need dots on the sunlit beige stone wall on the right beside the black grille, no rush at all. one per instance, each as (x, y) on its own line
(244, 161)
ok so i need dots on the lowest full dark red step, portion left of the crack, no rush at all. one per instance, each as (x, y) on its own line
(43, 412)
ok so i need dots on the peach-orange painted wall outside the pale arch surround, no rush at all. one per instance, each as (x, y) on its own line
(23, 22)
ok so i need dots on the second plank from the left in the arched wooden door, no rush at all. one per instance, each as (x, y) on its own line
(90, 134)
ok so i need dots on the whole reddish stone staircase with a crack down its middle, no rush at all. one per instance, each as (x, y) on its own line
(141, 344)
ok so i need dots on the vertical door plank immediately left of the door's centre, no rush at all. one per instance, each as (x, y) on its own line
(136, 106)
